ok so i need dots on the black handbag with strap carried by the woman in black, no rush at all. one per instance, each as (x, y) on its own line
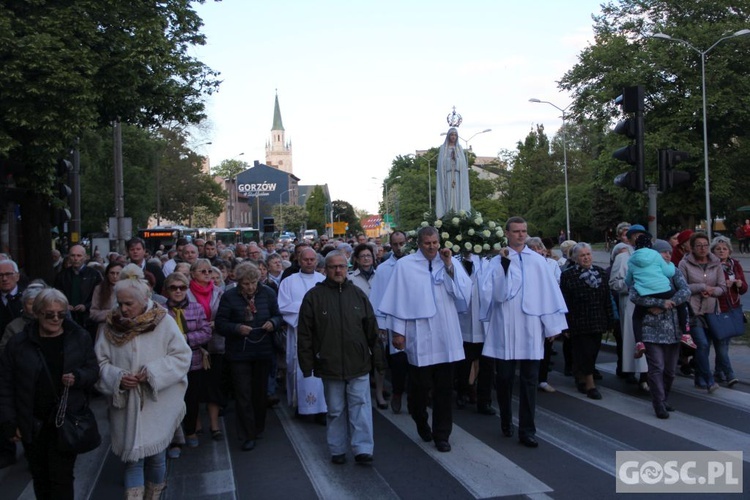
(76, 432)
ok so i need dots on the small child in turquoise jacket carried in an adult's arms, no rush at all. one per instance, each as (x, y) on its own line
(652, 276)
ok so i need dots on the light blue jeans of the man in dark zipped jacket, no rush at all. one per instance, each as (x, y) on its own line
(349, 415)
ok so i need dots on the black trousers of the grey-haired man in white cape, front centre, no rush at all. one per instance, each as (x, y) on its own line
(438, 379)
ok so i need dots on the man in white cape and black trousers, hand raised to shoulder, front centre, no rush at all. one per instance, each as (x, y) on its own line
(421, 302)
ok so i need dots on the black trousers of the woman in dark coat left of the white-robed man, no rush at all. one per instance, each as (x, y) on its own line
(249, 380)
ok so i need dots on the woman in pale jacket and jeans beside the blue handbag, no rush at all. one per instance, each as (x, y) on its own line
(705, 277)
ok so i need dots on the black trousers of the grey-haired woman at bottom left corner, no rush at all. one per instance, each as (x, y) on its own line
(51, 469)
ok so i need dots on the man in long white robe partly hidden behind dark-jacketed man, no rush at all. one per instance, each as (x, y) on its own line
(304, 393)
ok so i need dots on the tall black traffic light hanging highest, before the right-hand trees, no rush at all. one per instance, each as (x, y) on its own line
(631, 127)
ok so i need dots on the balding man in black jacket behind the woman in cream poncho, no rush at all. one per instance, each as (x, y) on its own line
(77, 283)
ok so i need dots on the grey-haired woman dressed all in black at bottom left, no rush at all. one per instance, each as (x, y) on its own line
(51, 352)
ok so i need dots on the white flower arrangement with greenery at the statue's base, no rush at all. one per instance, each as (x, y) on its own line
(467, 232)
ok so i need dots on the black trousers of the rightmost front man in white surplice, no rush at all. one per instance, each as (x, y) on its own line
(528, 381)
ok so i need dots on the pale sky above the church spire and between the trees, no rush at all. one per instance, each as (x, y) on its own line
(361, 82)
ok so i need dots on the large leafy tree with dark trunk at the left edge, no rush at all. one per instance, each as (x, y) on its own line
(69, 67)
